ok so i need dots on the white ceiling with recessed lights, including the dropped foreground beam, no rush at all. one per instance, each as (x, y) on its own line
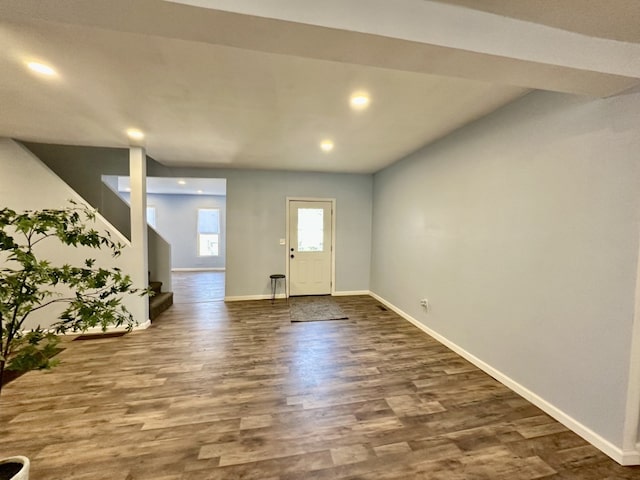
(259, 83)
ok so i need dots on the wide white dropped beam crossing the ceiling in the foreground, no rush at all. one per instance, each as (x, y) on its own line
(410, 35)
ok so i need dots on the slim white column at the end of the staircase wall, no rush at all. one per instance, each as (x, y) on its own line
(138, 200)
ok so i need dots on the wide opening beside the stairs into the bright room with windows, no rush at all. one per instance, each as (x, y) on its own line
(186, 235)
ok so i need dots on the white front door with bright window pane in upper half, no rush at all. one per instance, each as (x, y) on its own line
(310, 248)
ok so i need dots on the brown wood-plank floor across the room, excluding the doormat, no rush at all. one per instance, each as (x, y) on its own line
(235, 391)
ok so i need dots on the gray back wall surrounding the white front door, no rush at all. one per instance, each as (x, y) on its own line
(256, 221)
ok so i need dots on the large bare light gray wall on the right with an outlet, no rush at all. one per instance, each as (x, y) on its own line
(522, 231)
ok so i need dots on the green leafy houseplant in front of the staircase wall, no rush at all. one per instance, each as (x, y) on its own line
(92, 295)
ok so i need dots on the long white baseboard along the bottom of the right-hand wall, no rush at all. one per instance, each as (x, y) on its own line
(629, 457)
